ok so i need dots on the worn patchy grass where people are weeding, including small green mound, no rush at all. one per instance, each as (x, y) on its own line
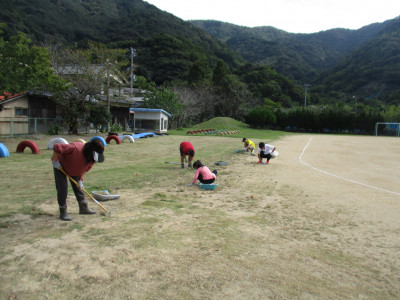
(251, 238)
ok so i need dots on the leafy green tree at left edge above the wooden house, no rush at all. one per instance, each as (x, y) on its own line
(24, 66)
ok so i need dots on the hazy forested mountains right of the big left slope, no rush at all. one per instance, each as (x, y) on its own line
(336, 62)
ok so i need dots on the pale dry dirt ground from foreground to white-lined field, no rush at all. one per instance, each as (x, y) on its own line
(321, 221)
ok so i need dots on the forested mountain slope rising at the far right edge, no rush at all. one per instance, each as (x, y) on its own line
(370, 70)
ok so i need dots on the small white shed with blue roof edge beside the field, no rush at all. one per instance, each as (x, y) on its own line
(150, 119)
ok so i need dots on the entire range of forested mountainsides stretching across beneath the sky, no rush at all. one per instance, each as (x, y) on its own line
(262, 63)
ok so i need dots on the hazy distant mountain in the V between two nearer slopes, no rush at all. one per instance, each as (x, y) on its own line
(301, 57)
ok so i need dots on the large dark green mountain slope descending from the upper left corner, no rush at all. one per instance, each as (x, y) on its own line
(166, 46)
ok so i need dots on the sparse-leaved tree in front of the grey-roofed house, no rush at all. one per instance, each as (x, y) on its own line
(88, 72)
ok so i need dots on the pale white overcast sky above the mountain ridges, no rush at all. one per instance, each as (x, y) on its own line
(295, 16)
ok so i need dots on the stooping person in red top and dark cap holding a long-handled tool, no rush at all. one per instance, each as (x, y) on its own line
(75, 159)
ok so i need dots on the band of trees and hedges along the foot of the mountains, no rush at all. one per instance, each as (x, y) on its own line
(257, 95)
